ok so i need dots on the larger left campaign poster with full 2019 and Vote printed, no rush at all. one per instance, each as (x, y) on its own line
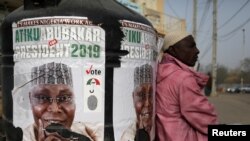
(58, 77)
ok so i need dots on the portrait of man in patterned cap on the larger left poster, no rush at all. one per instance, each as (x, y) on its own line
(52, 101)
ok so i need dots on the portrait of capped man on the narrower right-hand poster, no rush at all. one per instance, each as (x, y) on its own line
(140, 130)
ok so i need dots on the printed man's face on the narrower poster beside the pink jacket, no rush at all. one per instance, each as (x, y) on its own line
(143, 103)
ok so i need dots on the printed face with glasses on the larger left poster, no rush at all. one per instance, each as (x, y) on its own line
(52, 103)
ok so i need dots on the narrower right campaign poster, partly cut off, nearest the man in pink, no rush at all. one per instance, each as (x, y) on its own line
(134, 84)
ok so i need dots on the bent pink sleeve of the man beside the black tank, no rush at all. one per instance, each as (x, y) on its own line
(195, 107)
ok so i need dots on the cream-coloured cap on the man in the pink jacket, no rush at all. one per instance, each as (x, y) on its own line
(170, 39)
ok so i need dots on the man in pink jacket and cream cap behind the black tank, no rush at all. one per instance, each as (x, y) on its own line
(183, 112)
